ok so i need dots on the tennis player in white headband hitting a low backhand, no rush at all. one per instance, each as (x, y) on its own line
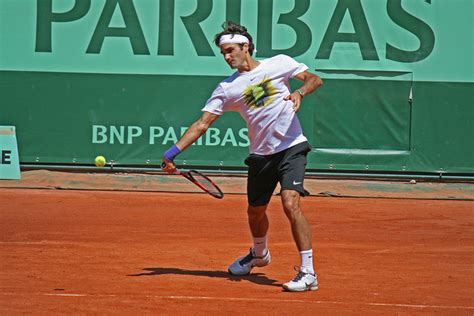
(260, 92)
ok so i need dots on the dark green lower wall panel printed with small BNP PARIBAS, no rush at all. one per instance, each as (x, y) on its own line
(383, 125)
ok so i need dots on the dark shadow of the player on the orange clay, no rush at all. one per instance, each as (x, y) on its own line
(258, 278)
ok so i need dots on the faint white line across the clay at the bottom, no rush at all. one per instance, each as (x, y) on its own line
(250, 299)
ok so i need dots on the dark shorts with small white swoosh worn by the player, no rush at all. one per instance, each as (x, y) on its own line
(265, 172)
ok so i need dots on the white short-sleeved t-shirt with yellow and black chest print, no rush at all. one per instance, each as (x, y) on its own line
(258, 96)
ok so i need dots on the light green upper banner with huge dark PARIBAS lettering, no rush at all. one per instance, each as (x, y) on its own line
(432, 39)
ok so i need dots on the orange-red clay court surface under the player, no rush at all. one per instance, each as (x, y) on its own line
(126, 252)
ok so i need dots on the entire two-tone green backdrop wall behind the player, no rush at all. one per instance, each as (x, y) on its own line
(124, 79)
